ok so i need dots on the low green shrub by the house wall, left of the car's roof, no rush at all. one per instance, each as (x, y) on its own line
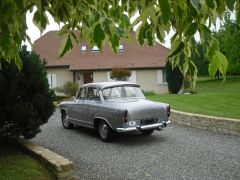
(69, 89)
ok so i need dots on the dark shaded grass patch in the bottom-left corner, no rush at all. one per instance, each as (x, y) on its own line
(16, 165)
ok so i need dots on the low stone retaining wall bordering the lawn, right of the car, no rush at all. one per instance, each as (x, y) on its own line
(215, 124)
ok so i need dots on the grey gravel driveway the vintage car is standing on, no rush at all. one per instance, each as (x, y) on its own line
(174, 153)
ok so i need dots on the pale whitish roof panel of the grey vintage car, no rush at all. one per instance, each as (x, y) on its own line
(103, 85)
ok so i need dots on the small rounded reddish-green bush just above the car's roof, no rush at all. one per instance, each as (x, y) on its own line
(120, 74)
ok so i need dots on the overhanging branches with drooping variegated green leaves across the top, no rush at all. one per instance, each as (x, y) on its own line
(104, 21)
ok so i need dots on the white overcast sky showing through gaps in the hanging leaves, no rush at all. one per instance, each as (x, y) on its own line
(34, 33)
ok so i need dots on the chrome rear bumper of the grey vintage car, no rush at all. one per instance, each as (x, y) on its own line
(144, 127)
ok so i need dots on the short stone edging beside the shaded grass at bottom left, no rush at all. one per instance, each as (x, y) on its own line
(61, 167)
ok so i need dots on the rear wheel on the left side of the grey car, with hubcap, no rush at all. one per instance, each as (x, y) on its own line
(105, 132)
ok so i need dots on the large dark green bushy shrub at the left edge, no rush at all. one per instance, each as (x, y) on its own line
(25, 97)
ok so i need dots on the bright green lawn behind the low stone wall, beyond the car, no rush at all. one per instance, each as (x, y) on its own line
(213, 98)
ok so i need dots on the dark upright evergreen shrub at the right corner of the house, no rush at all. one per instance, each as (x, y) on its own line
(174, 78)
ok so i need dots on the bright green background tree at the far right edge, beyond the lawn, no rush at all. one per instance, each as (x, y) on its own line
(229, 43)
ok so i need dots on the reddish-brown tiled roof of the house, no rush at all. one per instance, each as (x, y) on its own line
(133, 56)
